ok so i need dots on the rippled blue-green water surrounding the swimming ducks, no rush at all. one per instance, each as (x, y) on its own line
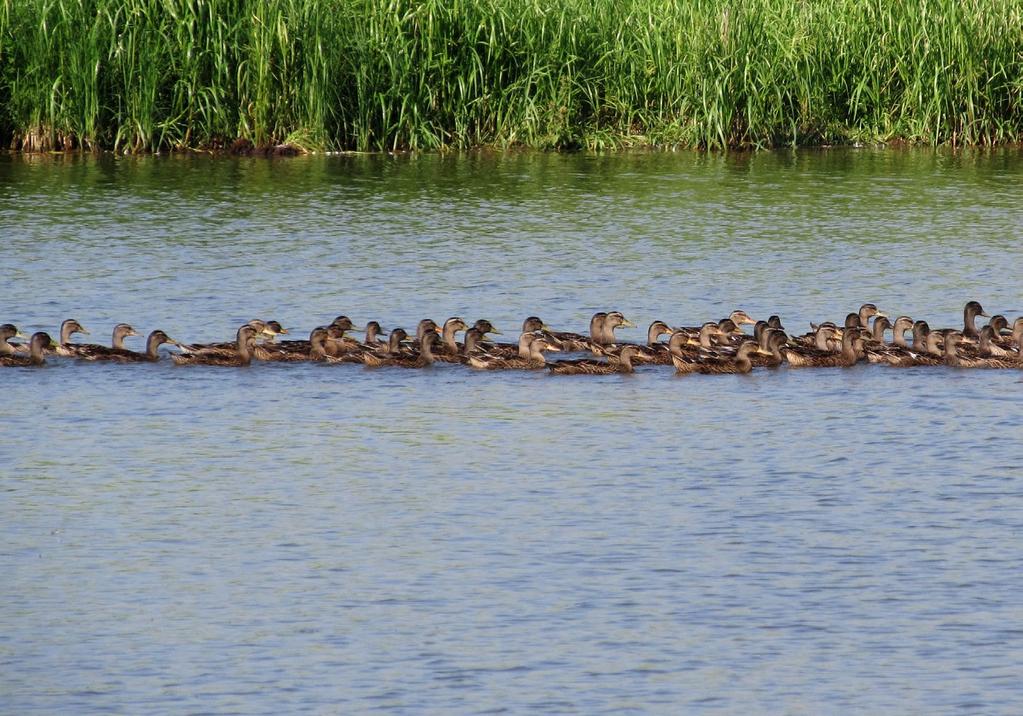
(332, 540)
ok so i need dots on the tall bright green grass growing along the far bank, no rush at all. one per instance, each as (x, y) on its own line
(150, 75)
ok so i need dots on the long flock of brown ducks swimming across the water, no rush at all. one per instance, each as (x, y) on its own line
(715, 347)
